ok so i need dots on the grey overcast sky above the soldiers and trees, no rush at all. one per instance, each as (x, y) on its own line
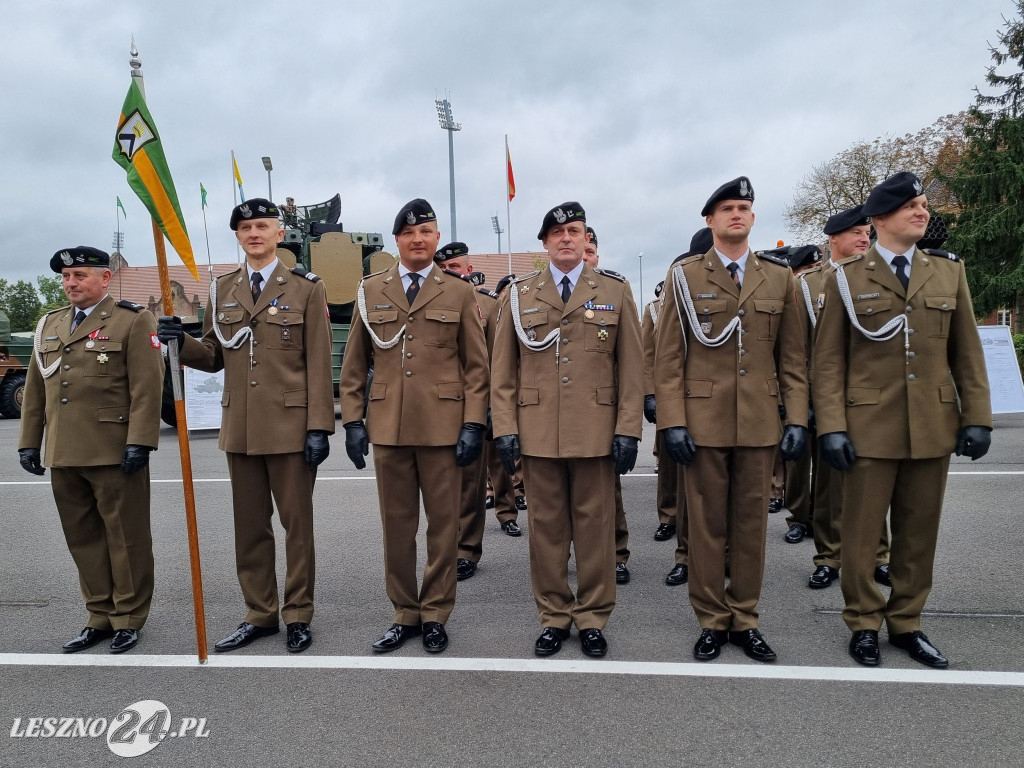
(639, 111)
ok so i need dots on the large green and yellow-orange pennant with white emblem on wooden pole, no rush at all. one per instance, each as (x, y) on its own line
(139, 150)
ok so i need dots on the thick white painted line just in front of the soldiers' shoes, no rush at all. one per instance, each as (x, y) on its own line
(560, 667)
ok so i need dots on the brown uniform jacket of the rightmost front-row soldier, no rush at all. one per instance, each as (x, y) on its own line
(898, 403)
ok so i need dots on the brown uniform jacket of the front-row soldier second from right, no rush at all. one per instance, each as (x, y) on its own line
(724, 399)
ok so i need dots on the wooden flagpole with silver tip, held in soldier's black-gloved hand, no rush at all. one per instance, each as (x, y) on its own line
(180, 412)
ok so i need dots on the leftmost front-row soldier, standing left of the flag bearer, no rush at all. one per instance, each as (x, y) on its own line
(95, 389)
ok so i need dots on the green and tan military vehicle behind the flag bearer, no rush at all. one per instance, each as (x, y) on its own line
(316, 240)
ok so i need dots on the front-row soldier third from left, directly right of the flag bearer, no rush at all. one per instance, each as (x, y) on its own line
(420, 328)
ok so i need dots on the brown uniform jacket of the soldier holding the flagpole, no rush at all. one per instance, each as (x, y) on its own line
(269, 408)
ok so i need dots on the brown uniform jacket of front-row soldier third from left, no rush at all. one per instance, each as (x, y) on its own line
(430, 383)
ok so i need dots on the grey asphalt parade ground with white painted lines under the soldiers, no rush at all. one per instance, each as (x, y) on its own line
(489, 700)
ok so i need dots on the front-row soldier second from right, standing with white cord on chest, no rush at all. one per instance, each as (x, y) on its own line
(731, 363)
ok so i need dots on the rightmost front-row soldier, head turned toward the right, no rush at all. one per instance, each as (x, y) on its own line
(900, 385)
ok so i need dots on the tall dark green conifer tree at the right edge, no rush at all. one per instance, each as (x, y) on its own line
(989, 183)
